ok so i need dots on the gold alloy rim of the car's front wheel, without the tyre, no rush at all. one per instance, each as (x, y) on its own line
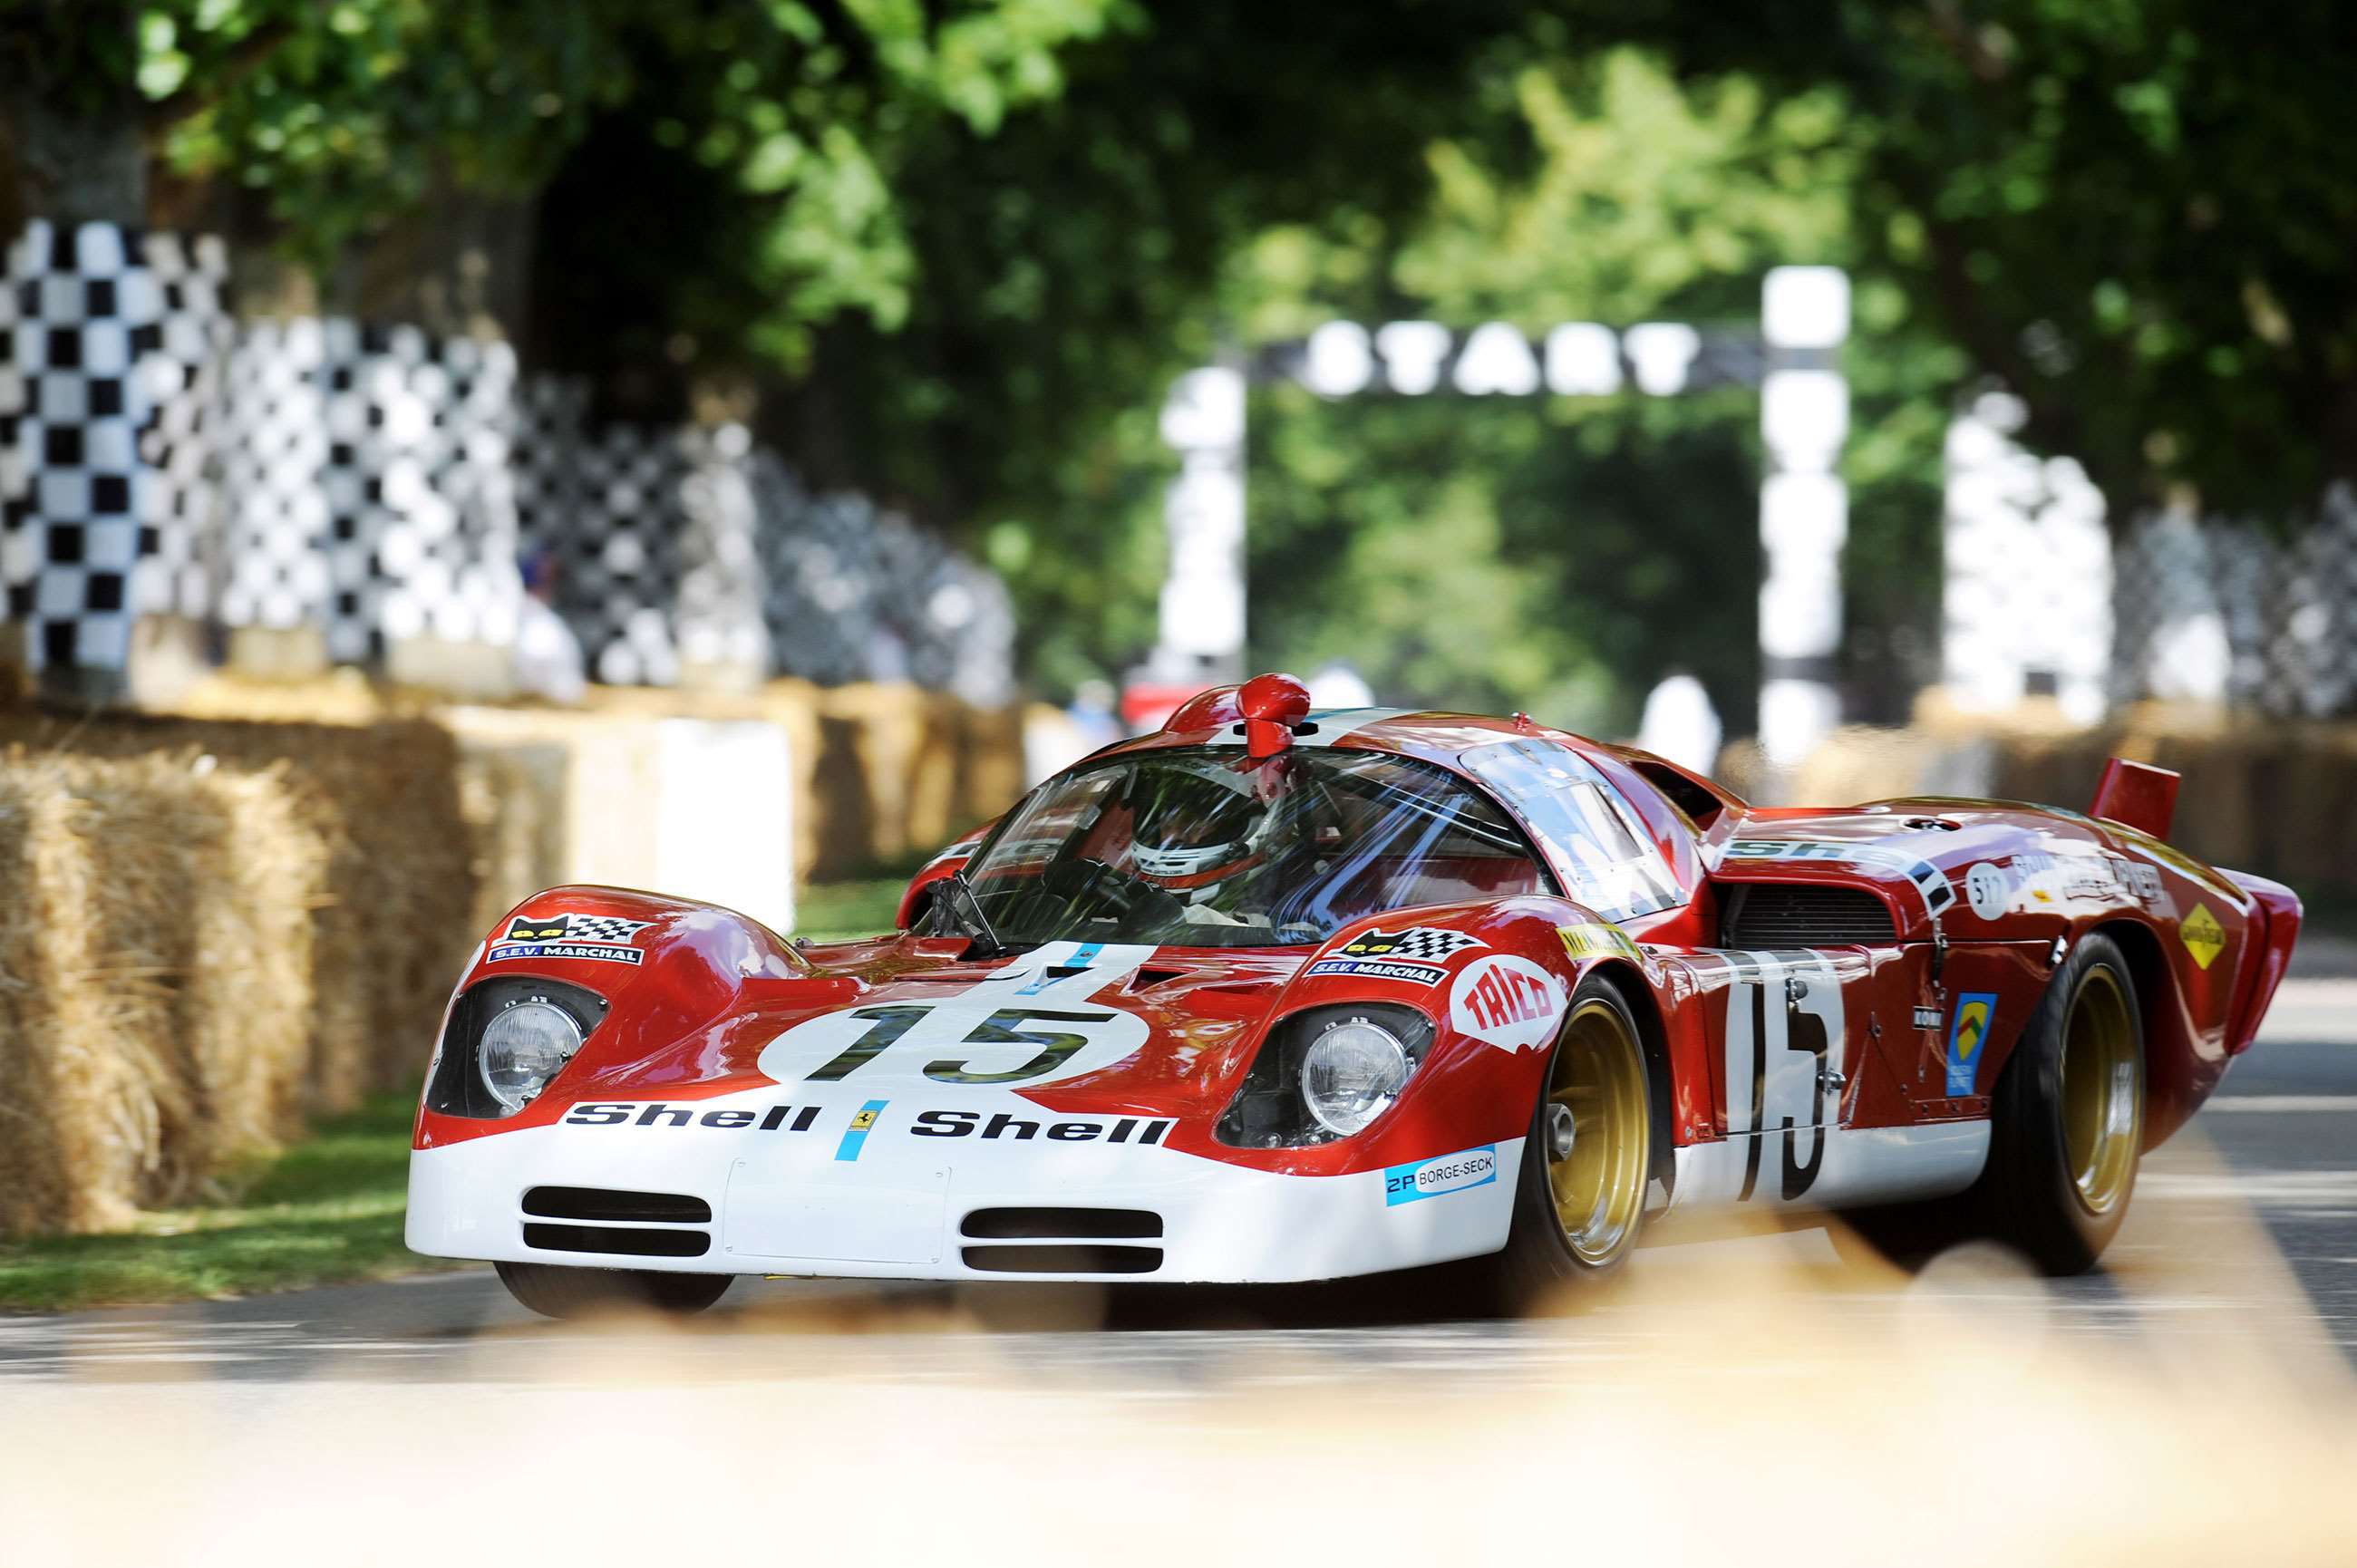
(1597, 1133)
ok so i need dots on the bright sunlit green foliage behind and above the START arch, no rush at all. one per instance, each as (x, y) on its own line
(1566, 553)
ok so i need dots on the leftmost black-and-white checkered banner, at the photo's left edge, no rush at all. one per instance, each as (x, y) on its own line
(107, 407)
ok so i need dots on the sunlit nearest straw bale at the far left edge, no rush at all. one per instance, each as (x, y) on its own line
(157, 1015)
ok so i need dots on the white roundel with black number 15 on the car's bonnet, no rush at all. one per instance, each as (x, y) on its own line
(1029, 1022)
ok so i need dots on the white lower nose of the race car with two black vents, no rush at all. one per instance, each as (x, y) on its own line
(899, 1206)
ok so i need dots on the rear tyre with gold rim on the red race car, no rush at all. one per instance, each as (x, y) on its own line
(2071, 1116)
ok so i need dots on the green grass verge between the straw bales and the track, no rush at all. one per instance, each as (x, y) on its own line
(317, 1213)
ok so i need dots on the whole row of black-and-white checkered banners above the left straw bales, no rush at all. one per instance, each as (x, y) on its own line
(383, 485)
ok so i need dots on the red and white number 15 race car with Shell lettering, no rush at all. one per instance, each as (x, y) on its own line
(1288, 996)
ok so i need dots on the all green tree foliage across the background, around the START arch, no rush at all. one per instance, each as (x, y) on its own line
(963, 246)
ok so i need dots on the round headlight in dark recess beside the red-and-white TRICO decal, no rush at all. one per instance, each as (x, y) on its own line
(1326, 1074)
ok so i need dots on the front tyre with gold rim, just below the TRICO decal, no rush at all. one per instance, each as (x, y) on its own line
(1580, 1197)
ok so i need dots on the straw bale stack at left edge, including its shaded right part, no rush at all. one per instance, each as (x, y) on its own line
(209, 933)
